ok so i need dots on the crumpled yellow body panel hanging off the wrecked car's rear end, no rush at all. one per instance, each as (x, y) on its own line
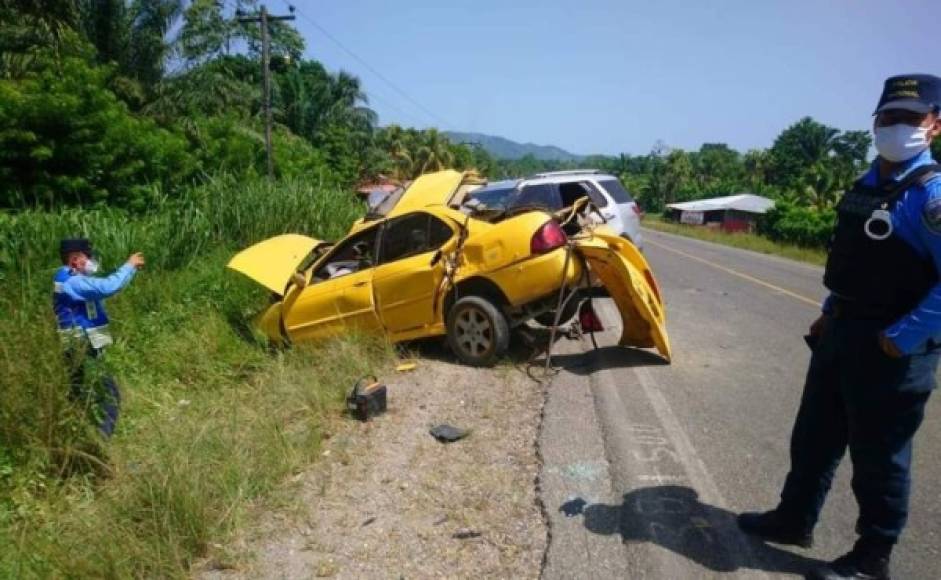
(629, 280)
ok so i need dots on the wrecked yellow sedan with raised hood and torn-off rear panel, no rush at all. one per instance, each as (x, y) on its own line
(423, 265)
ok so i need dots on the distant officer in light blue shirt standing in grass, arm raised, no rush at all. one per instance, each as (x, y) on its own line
(83, 324)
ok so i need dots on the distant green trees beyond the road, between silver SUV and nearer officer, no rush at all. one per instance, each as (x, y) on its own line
(805, 170)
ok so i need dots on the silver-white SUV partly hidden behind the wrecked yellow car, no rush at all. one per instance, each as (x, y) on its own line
(560, 189)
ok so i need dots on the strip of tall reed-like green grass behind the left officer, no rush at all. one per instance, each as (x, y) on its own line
(222, 212)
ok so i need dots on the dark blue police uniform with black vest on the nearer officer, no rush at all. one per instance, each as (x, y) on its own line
(856, 396)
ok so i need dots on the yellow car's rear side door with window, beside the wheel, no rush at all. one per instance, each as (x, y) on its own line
(410, 272)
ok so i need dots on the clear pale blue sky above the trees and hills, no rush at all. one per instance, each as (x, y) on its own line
(600, 76)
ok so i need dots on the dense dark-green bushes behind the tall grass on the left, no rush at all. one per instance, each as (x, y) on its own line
(67, 140)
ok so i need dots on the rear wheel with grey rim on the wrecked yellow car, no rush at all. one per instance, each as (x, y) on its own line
(478, 332)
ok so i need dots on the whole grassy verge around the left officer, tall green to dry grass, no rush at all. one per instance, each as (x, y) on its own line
(212, 420)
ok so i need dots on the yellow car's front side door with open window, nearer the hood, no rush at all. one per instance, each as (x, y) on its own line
(339, 295)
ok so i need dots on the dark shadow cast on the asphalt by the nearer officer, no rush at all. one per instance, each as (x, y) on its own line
(672, 517)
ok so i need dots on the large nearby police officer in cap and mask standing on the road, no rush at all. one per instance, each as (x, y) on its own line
(876, 344)
